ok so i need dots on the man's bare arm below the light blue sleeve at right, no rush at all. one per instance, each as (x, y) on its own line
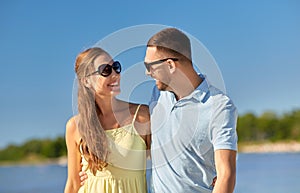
(225, 161)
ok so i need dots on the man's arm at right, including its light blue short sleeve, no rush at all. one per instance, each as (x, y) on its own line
(224, 138)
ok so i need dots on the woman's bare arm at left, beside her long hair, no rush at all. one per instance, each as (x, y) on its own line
(74, 158)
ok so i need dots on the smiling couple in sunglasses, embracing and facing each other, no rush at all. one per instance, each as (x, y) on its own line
(193, 126)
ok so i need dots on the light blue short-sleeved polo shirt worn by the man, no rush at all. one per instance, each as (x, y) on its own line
(185, 134)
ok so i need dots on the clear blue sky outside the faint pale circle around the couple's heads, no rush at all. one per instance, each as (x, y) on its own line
(256, 45)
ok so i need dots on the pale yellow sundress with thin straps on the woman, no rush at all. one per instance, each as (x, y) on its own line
(125, 172)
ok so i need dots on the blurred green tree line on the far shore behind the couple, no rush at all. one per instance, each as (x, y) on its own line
(250, 128)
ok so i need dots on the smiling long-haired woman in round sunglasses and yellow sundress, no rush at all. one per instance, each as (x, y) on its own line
(109, 137)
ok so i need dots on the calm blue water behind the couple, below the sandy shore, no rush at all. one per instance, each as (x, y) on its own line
(256, 173)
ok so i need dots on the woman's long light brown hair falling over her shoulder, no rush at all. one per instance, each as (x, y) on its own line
(94, 143)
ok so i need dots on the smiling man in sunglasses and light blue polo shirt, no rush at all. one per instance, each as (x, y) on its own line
(193, 124)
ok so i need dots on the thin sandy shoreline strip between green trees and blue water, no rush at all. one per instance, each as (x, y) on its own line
(255, 147)
